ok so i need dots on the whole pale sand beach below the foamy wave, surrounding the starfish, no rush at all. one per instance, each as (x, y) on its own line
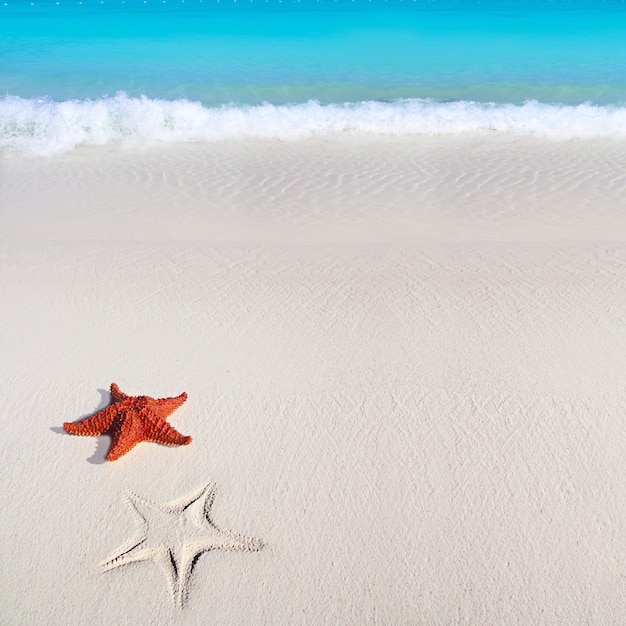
(405, 361)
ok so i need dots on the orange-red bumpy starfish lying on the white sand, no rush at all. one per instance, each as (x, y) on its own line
(131, 419)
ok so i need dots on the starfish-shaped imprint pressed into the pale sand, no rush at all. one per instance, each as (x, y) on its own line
(174, 535)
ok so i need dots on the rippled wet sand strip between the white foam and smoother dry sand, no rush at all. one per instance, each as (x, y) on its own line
(354, 188)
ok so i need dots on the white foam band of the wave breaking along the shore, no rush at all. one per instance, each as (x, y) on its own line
(42, 127)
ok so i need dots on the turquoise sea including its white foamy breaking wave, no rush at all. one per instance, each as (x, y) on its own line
(78, 72)
